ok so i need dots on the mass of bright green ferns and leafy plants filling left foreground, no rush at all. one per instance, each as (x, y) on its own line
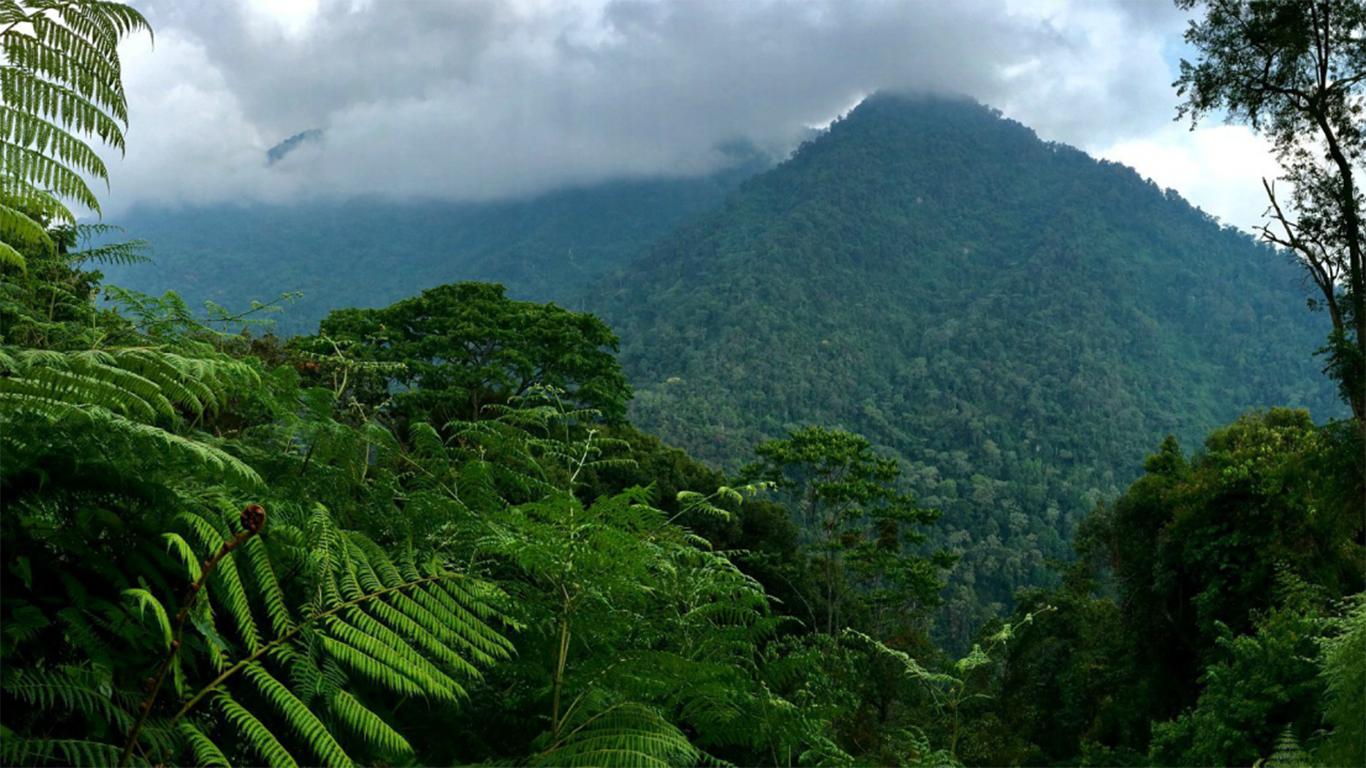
(390, 576)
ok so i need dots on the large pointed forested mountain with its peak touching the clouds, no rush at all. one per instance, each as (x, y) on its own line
(1018, 322)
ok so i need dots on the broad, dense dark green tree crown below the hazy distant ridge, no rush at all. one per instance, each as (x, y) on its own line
(468, 346)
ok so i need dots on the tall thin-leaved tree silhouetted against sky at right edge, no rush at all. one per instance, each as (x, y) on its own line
(1296, 72)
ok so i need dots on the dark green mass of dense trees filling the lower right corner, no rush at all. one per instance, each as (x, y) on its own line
(1195, 629)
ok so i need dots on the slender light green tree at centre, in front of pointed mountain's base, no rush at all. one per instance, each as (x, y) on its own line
(856, 523)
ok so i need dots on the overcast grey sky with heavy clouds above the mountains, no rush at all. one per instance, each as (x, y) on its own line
(488, 99)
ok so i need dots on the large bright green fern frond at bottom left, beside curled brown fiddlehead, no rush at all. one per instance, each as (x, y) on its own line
(410, 631)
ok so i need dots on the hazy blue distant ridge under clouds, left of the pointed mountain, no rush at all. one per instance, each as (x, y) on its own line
(370, 253)
